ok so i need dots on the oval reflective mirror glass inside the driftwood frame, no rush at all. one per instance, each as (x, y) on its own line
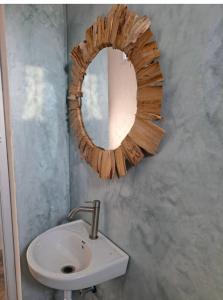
(109, 98)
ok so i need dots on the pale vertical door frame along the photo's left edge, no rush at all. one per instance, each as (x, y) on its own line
(11, 254)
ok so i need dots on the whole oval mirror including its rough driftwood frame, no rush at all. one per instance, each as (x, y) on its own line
(113, 106)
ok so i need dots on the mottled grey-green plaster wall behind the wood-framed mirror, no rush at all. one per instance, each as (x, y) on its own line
(167, 212)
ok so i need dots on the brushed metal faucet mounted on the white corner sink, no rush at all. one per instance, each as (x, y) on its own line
(94, 209)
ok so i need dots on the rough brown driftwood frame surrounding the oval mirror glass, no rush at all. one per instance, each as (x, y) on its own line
(124, 30)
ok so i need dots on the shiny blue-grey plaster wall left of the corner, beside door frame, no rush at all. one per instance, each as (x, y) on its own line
(36, 41)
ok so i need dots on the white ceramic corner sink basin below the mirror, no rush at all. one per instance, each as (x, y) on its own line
(65, 258)
